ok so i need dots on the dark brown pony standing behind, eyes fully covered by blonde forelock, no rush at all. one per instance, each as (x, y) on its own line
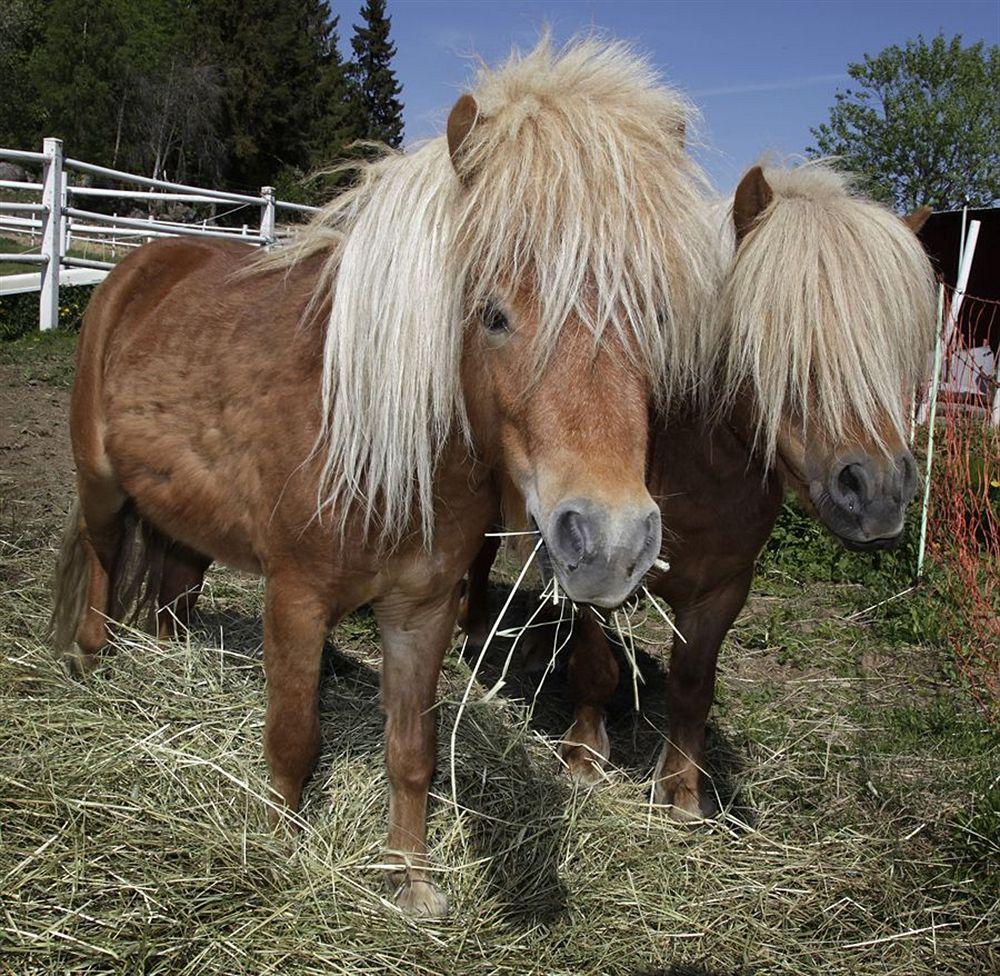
(825, 323)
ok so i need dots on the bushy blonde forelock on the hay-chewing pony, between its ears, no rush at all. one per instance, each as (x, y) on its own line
(579, 177)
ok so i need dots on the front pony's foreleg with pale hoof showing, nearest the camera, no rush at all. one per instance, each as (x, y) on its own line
(414, 639)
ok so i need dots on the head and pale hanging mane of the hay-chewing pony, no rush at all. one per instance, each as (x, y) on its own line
(529, 282)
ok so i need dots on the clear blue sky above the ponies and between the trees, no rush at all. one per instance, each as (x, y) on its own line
(761, 73)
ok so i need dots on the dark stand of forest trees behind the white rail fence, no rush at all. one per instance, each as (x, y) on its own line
(242, 92)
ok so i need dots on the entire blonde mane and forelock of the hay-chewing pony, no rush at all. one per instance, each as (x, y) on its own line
(574, 178)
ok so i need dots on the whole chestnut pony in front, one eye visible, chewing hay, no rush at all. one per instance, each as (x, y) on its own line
(337, 416)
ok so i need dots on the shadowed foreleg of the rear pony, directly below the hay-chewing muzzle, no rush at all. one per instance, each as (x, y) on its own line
(593, 678)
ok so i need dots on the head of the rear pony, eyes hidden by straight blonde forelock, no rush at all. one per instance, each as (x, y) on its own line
(829, 316)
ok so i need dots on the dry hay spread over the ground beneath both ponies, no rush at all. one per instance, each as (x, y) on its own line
(132, 833)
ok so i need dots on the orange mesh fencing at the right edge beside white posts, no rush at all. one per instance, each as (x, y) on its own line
(963, 532)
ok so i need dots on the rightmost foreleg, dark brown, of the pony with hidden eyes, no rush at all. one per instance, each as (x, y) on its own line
(680, 777)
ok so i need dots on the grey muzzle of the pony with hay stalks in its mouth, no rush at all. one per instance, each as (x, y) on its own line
(599, 554)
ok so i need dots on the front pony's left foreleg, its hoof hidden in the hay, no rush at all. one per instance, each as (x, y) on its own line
(296, 621)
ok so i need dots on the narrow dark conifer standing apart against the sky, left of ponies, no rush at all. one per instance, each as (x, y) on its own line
(376, 88)
